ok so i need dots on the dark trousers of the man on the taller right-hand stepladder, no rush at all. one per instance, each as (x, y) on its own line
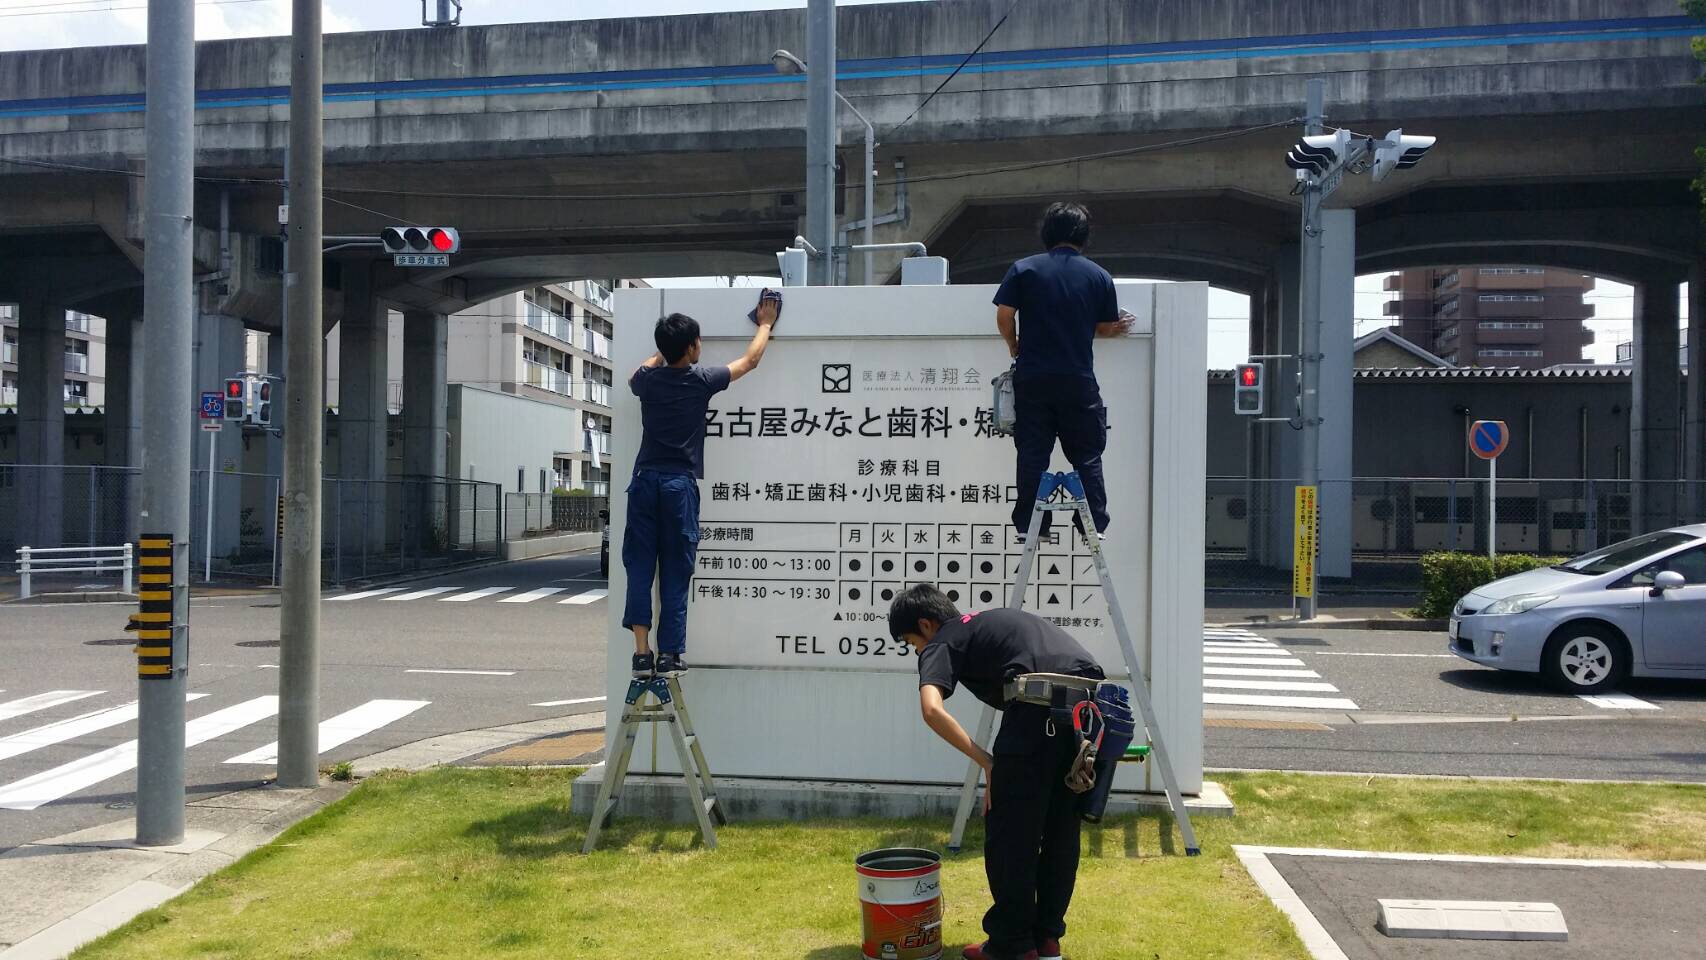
(1071, 410)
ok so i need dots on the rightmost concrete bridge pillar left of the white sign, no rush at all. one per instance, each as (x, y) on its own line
(426, 432)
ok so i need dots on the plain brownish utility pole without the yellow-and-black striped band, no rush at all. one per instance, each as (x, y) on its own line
(305, 413)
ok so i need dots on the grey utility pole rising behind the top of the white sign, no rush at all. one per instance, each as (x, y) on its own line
(821, 137)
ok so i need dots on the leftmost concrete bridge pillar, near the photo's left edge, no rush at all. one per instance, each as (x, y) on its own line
(40, 424)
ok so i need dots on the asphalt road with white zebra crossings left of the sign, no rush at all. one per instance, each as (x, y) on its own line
(69, 676)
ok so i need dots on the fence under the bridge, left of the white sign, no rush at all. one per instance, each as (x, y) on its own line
(368, 528)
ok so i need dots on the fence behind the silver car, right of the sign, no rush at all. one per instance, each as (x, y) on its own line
(1391, 523)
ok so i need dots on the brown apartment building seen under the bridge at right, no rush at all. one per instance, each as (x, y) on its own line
(1494, 316)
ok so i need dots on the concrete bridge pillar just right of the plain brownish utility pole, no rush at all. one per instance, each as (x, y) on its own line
(363, 419)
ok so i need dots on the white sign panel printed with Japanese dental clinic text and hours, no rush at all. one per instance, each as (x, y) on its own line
(844, 471)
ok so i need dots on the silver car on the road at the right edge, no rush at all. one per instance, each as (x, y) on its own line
(1632, 610)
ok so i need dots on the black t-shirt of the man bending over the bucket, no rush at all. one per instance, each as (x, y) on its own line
(984, 652)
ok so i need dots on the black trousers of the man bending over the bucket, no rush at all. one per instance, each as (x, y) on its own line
(1031, 840)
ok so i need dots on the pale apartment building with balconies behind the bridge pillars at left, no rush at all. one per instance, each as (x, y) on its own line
(550, 344)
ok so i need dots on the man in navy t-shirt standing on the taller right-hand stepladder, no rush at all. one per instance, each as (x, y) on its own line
(1050, 311)
